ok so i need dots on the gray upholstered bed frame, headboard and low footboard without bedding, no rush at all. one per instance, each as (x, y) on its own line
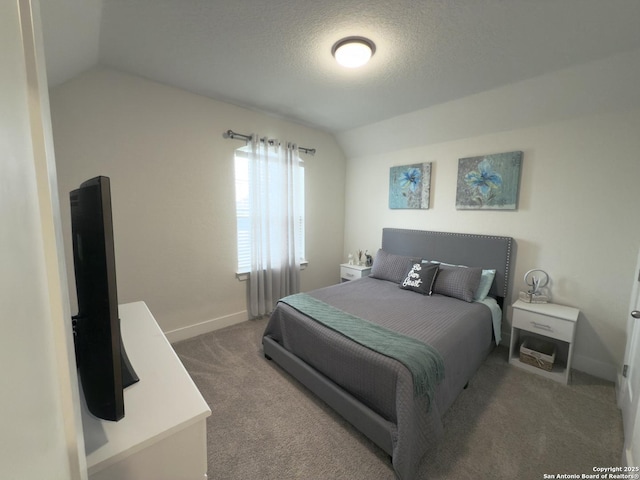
(456, 248)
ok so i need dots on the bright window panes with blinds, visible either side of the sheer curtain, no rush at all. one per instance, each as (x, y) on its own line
(243, 211)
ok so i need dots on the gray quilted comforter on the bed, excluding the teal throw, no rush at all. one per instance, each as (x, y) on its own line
(460, 331)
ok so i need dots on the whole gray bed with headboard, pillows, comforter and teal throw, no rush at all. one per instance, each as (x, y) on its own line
(377, 392)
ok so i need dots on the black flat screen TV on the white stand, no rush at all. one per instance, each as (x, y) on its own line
(103, 366)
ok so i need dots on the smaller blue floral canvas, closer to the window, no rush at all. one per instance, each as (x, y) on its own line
(409, 186)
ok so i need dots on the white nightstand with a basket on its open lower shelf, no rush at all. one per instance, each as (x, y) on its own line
(549, 322)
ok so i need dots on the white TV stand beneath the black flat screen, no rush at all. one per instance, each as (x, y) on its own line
(163, 434)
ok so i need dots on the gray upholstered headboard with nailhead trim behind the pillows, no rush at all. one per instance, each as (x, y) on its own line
(472, 250)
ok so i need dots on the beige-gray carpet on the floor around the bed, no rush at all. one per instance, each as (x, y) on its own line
(509, 424)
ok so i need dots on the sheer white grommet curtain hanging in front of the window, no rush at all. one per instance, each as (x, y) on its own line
(274, 181)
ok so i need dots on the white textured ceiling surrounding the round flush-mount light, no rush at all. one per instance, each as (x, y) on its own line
(275, 56)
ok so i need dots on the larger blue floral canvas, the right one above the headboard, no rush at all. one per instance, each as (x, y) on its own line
(489, 182)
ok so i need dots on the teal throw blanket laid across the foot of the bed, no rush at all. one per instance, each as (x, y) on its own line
(423, 361)
